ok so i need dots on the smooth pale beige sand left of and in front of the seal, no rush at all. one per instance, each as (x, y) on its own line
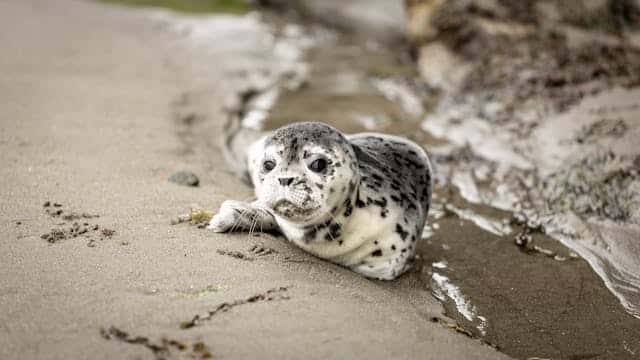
(88, 102)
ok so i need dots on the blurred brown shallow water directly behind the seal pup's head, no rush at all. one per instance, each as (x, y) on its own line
(354, 89)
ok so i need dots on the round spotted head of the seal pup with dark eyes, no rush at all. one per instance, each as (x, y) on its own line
(305, 172)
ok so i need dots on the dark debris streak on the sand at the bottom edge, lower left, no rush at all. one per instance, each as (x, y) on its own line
(162, 350)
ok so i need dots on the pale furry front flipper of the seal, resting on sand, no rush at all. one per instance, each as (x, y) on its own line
(240, 216)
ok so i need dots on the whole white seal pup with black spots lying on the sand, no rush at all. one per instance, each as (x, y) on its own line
(356, 200)
